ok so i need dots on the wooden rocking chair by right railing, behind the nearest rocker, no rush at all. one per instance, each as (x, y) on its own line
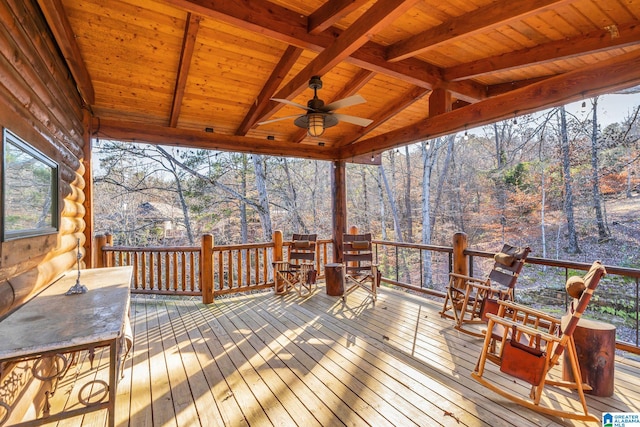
(469, 299)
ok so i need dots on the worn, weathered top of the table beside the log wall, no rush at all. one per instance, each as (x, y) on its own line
(53, 320)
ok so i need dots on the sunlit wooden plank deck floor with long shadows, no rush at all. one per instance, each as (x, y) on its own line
(264, 360)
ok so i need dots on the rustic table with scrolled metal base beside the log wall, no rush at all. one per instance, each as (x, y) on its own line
(52, 326)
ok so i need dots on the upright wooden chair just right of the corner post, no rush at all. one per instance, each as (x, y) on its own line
(359, 269)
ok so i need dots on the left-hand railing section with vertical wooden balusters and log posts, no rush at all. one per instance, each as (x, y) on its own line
(181, 270)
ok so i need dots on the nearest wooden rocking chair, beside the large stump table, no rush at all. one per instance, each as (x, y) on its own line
(531, 343)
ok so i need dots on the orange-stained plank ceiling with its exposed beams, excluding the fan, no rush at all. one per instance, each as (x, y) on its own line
(165, 71)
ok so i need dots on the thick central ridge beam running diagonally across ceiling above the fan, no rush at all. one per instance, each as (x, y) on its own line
(282, 24)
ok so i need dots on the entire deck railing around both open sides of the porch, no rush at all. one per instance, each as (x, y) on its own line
(419, 268)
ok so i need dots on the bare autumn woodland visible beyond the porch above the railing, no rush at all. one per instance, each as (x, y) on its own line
(548, 181)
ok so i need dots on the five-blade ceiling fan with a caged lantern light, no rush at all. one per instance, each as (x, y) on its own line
(319, 116)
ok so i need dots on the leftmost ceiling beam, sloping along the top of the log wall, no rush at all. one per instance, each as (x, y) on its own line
(61, 28)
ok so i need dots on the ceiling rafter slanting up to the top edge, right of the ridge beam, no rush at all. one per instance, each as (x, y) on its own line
(480, 20)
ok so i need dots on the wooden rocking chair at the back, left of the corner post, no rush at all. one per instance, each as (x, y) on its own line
(299, 272)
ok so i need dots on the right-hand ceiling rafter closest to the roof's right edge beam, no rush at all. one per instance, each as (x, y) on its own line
(595, 41)
